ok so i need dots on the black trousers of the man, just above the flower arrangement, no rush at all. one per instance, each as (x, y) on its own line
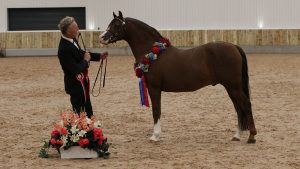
(79, 105)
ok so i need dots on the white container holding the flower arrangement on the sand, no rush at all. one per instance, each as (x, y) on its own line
(77, 152)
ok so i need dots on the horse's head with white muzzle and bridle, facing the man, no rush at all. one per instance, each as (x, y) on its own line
(115, 30)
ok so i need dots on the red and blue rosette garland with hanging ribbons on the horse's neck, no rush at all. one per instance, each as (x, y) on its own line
(143, 67)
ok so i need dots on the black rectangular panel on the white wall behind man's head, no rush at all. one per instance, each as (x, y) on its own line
(24, 19)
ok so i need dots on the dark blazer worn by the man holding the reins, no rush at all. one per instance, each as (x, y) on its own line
(72, 63)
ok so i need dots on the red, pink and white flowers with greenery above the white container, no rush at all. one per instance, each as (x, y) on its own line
(77, 130)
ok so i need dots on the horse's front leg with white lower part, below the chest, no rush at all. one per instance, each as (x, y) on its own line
(155, 95)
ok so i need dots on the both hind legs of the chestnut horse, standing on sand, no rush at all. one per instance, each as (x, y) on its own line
(243, 108)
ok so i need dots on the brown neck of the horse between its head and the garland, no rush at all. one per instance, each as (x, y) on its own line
(140, 40)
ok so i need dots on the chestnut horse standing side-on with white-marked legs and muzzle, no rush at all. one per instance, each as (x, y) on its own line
(177, 70)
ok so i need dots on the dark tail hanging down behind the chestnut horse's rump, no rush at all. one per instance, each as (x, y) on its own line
(245, 77)
